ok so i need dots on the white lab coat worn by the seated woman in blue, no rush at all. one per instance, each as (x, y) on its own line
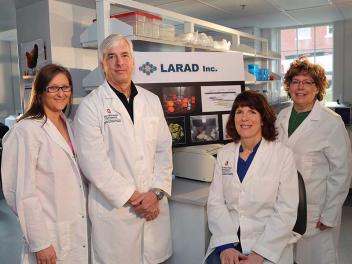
(264, 205)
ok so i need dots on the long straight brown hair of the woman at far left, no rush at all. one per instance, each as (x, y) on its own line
(45, 75)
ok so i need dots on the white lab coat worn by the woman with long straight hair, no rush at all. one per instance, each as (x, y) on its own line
(43, 186)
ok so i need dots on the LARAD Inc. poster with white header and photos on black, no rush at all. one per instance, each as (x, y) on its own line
(196, 91)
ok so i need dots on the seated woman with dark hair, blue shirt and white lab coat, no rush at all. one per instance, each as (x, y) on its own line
(252, 204)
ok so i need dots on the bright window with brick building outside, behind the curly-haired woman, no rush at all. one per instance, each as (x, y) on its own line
(318, 47)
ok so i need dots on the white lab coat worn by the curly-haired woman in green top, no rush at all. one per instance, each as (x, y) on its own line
(322, 152)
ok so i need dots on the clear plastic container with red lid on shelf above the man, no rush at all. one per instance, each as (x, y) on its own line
(144, 24)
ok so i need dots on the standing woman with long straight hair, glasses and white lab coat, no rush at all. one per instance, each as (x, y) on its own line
(41, 180)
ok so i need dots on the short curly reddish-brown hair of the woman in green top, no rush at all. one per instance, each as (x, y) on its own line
(315, 71)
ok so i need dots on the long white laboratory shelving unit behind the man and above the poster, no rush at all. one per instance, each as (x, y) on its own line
(254, 49)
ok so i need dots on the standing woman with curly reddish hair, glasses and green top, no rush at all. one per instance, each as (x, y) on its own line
(322, 151)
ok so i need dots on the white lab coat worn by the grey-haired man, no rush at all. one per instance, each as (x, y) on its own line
(118, 157)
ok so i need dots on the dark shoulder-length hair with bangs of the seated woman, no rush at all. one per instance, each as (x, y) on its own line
(257, 101)
